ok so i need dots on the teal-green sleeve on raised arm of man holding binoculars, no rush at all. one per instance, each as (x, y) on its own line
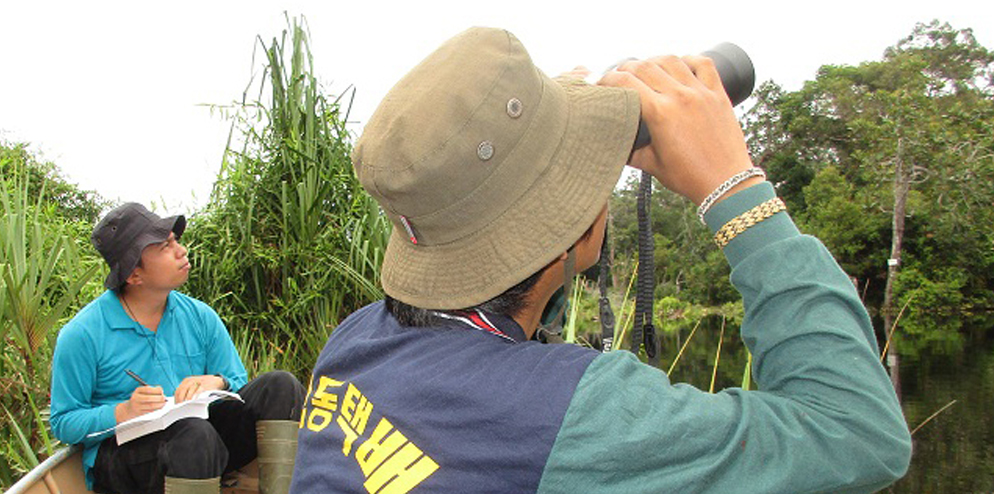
(824, 419)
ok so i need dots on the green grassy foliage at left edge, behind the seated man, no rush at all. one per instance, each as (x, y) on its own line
(41, 277)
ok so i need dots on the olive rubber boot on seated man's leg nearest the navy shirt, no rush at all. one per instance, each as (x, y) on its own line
(277, 444)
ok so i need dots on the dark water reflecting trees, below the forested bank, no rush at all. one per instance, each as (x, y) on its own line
(954, 360)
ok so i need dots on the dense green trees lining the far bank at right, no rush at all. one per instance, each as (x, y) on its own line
(889, 162)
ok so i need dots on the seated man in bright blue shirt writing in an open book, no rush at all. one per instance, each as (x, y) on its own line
(141, 341)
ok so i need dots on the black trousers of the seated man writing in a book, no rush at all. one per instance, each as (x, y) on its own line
(196, 448)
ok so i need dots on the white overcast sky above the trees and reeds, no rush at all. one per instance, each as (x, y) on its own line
(113, 92)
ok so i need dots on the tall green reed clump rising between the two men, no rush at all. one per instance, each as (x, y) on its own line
(289, 243)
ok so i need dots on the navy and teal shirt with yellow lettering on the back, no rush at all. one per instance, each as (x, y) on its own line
(469, 404)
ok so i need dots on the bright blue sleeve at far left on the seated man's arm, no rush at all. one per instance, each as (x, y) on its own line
(75, 418)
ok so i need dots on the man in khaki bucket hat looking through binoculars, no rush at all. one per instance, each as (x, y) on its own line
(496, 179)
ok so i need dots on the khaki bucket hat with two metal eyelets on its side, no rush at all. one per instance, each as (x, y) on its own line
(488, 168)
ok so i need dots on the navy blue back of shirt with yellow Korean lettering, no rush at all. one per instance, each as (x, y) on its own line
(393, 409)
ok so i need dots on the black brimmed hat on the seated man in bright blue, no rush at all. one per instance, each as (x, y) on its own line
(124, 232)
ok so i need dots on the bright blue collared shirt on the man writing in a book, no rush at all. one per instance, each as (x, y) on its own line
(101, 342)
